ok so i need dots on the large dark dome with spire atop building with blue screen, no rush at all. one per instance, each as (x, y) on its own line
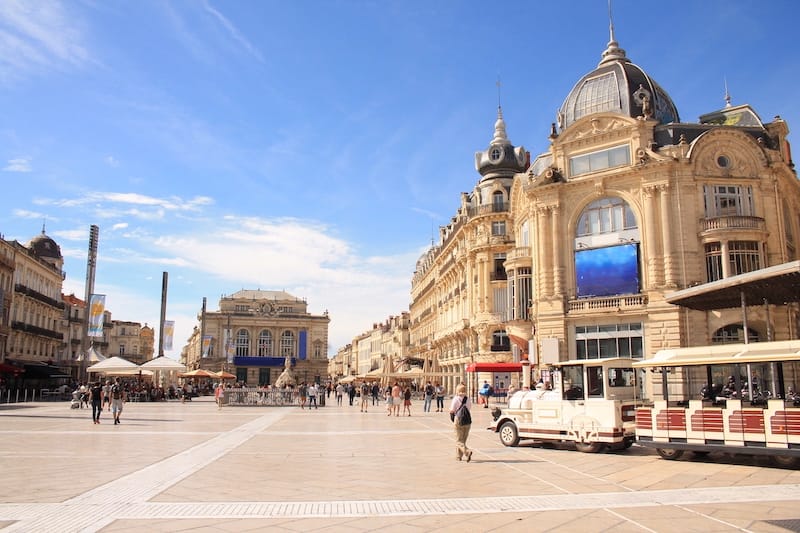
(617, 86)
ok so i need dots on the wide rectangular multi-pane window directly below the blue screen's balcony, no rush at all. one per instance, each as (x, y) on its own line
(609, 340)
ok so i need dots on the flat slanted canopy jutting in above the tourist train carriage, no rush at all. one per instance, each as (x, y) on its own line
(778, 285)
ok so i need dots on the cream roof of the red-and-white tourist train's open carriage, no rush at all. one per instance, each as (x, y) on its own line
(724, 354)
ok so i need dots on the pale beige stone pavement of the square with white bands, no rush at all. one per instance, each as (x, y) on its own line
(180, 467)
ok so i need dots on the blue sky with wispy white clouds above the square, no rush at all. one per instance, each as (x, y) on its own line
(315, 146)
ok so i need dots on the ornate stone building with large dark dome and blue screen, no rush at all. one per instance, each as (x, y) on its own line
(629, 204)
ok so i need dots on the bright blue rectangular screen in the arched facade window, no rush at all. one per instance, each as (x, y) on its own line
(607, 271)
